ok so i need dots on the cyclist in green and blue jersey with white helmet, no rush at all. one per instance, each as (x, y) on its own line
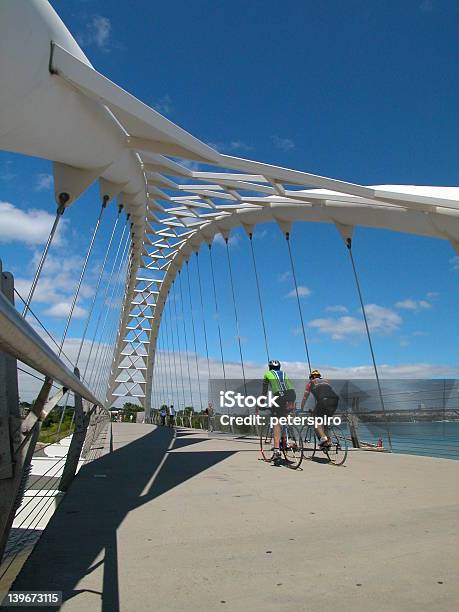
(277, 381)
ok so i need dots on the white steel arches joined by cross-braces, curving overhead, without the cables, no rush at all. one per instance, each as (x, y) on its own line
(55, 105)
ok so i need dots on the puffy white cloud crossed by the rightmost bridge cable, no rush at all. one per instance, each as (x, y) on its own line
(380, 319)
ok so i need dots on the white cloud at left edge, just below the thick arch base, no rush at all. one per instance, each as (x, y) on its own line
(30, 226)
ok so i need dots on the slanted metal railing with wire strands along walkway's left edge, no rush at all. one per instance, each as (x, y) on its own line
(20, 431)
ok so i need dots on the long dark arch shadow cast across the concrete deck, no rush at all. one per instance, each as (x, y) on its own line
(82, 533)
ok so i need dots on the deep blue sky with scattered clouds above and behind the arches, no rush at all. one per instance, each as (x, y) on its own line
(362, 91)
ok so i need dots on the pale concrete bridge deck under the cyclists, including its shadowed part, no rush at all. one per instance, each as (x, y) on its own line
(194, 523)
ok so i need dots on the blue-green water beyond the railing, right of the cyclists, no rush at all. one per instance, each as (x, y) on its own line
(434, 439)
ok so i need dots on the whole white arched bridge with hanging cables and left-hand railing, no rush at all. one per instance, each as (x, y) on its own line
(164, 195)
